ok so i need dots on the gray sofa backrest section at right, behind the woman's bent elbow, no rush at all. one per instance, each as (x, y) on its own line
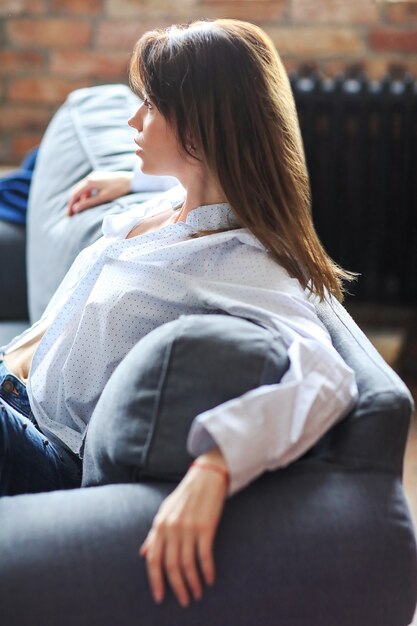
(375, 433)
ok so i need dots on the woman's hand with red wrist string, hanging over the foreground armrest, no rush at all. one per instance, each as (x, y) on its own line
(182, 534)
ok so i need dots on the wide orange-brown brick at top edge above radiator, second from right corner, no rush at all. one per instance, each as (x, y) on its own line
(335, 11)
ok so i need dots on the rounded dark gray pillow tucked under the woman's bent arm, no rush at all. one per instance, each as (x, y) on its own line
(140, 425)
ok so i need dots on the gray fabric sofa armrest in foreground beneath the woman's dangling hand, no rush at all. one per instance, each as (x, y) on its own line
(311, 545)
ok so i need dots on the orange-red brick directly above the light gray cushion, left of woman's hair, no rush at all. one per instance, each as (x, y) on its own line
(90, 64)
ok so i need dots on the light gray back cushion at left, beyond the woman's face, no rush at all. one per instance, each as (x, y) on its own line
(88, 132)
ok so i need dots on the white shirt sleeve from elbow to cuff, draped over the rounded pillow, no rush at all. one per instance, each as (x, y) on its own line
(271, 426)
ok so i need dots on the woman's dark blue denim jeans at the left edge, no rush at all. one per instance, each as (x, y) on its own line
(29, 462)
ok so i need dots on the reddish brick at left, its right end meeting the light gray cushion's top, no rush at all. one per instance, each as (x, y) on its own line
(42, 90)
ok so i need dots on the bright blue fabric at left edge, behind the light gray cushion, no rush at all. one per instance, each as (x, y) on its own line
(14, 190)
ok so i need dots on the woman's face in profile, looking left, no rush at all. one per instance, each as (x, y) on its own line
(158, 146)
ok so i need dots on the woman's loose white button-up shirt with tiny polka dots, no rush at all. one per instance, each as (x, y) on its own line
(119, 289)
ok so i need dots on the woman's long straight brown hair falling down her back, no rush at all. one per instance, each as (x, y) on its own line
(223, 86)
